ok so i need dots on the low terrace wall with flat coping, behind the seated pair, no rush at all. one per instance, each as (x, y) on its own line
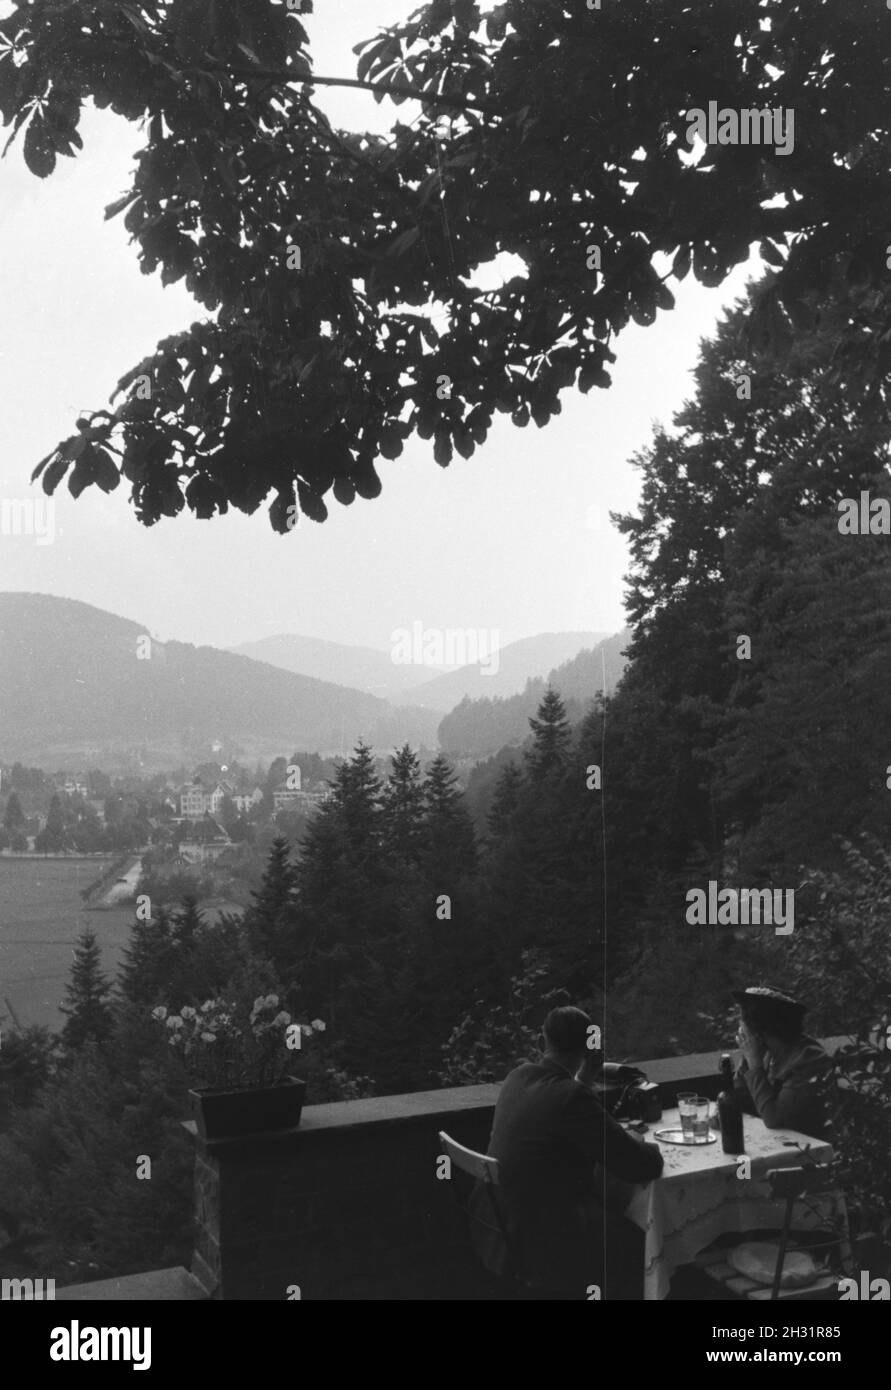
(348, 1206)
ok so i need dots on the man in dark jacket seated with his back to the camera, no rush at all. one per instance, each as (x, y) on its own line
(554, 1142)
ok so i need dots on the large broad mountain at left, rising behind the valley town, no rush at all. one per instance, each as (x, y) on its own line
(73, 678)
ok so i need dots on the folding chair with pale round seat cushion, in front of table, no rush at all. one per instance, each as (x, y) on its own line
(790, 1185)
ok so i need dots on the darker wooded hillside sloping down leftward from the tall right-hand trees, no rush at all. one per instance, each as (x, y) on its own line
(482, 728)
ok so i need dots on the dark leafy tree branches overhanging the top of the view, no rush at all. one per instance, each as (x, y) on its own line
(336, 269)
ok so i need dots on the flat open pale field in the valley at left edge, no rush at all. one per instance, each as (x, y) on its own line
(41, 917)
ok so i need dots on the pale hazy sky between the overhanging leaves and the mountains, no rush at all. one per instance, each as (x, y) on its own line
(505, 541)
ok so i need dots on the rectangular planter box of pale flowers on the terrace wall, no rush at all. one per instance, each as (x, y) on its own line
(226, 1050)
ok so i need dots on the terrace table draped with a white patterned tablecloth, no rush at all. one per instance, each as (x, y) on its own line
(705, 1193)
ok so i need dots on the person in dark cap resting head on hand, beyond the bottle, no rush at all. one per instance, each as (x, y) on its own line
(783, 1072)
